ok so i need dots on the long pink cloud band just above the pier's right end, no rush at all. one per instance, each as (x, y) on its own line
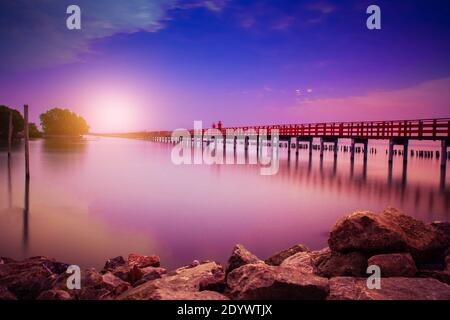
(429, 99)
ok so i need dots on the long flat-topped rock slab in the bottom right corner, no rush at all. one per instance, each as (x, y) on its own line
(347, 288)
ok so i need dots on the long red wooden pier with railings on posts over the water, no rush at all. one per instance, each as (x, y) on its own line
(398, 132)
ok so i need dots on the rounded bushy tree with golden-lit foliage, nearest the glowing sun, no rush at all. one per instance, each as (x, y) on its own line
(63, 122)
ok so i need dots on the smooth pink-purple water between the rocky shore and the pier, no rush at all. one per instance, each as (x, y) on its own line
(95, 199)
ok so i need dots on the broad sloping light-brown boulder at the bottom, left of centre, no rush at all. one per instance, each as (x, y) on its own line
(183, 283)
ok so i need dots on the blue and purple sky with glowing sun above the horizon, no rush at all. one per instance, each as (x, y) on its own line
(161, 64)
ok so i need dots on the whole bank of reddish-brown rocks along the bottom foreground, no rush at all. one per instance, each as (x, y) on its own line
(414, 259)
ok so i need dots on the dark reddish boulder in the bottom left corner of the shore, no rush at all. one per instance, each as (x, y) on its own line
(28, 278)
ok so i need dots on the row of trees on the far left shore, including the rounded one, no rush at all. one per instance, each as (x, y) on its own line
(55, 122)
